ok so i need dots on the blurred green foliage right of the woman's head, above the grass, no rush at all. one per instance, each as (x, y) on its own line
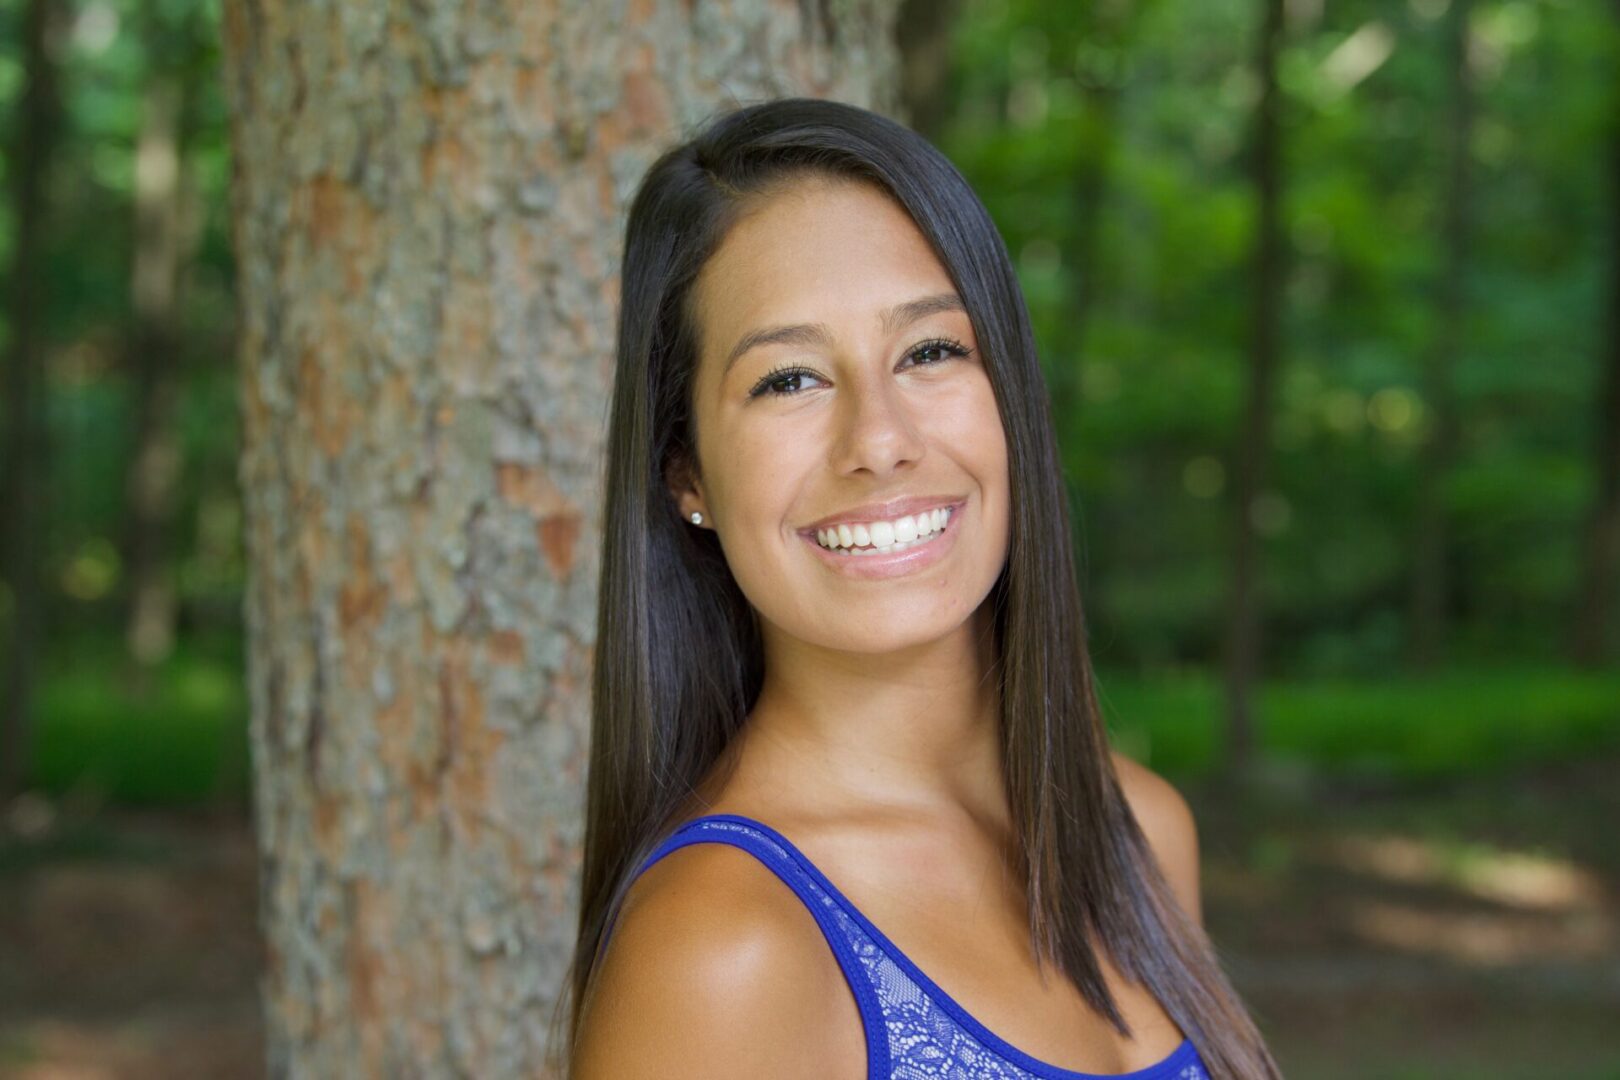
(1157, 98)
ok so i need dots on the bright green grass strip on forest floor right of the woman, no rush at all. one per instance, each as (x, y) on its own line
(1400, 726)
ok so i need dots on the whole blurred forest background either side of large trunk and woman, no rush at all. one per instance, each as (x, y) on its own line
(1352, 265)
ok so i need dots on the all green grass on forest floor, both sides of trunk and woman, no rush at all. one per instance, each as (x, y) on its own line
(182, 738)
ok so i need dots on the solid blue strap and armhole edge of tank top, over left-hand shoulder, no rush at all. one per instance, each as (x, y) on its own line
(838, 929)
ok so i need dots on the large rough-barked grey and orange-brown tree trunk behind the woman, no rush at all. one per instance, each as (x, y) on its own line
(430, 203)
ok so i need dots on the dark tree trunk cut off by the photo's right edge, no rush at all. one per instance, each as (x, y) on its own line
(1595, 605)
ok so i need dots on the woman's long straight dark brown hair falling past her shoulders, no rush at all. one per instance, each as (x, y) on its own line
(678, 653)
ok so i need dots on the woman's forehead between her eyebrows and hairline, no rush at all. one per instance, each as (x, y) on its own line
(822, 252)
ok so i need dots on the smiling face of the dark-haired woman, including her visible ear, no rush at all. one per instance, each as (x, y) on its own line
(838, 388)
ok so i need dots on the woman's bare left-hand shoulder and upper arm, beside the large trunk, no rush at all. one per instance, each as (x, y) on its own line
(715, 969)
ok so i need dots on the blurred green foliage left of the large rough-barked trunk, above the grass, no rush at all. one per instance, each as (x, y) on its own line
(116, 53)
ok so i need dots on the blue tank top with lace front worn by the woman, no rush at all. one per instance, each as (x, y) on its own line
(914, 1029)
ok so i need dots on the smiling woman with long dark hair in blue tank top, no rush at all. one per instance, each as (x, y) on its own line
(840, 650)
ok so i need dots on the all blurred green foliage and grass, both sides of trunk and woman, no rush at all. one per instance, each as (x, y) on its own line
(1112, 145)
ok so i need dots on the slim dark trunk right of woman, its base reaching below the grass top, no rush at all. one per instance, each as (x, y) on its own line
(1253, 440)
